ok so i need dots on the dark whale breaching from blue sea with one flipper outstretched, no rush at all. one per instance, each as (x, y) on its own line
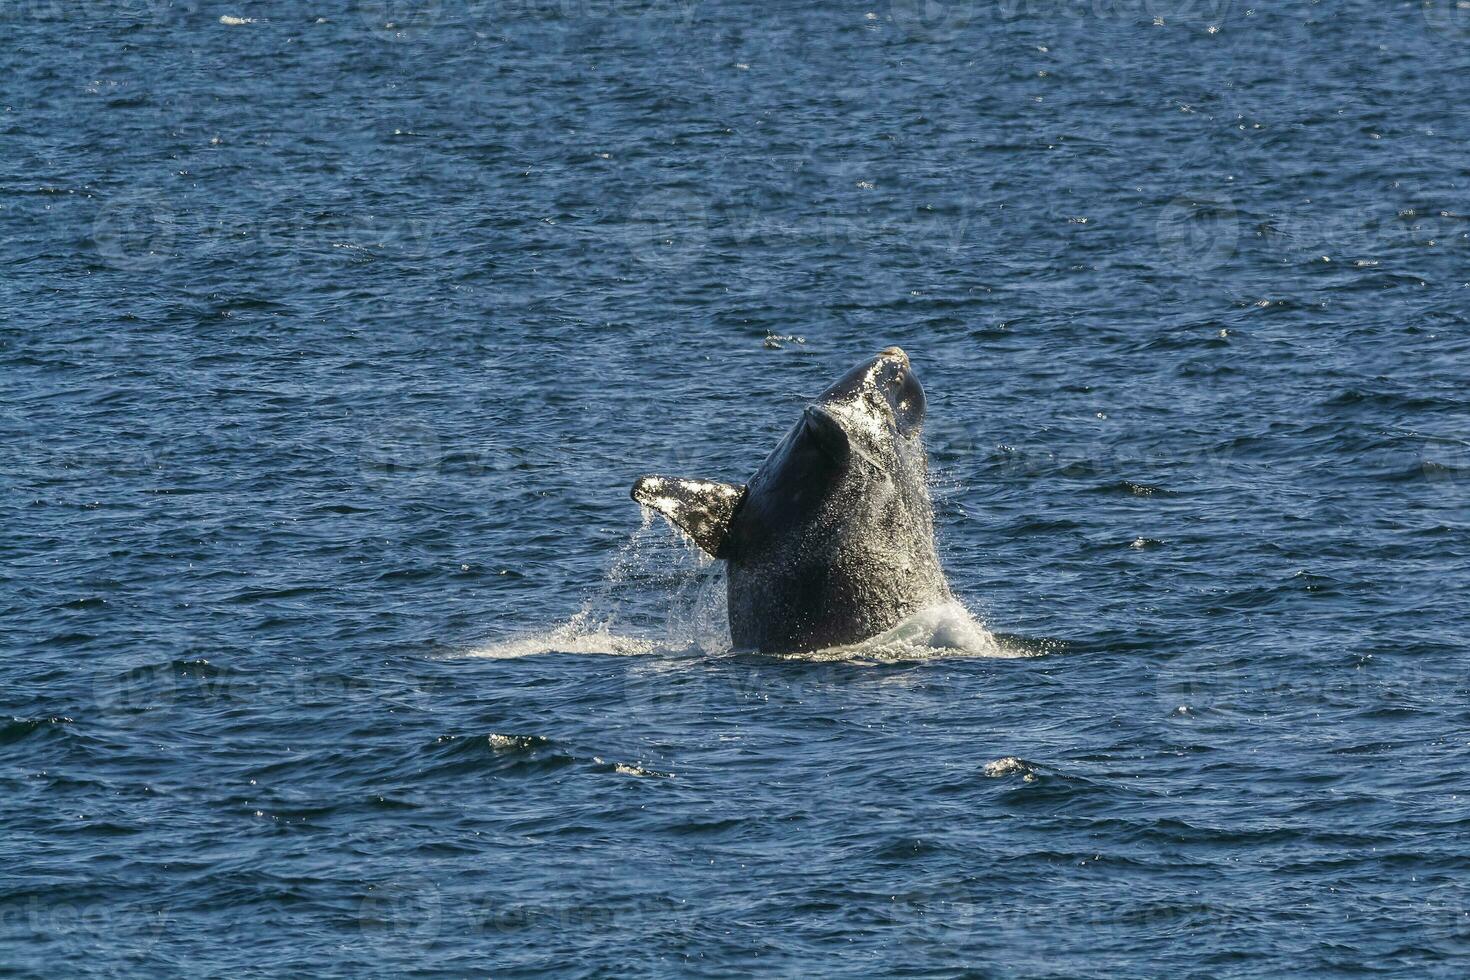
(831, 543)
